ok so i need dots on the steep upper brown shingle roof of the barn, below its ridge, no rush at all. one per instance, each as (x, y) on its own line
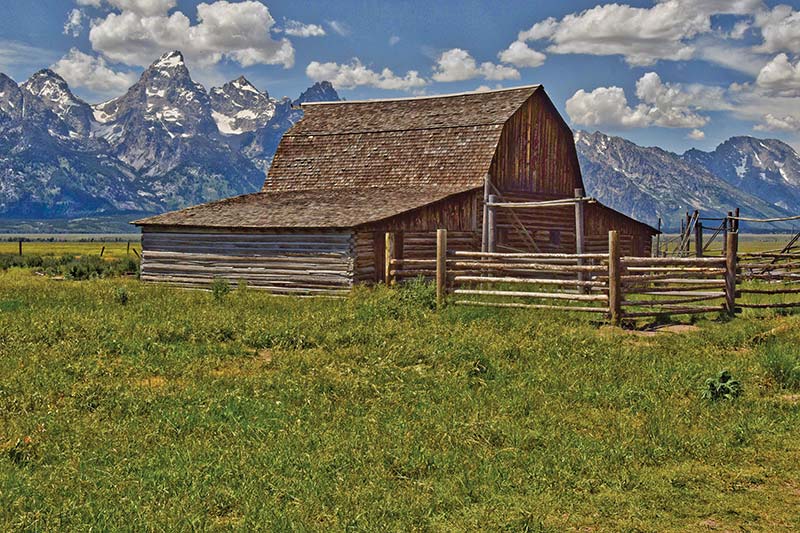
(445, 141)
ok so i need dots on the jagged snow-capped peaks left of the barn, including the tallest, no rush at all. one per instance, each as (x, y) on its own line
(159, 146)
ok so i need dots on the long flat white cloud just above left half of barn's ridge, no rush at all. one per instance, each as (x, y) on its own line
(355, 74)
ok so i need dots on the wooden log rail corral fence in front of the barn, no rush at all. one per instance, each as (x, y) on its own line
(608, 284)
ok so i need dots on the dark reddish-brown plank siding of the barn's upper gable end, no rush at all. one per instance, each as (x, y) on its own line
(536, 152)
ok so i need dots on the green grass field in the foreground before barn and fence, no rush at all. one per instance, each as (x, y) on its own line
(174, 411)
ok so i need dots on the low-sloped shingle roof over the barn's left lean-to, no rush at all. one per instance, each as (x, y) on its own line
(326, 208)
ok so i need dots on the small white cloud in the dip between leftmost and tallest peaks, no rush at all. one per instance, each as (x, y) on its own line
(92, 73)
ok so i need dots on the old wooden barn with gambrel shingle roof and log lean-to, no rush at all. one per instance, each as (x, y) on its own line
(349, 172)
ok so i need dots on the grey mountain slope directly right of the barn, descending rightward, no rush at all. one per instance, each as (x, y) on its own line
(648, 182)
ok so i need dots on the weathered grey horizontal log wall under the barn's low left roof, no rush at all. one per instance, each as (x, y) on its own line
(281, 262)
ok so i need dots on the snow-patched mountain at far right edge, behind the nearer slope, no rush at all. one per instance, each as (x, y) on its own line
(767, 168)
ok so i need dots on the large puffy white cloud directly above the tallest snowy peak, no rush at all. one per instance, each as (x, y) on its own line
(238, 31)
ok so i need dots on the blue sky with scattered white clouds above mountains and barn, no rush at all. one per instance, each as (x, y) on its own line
(672, 73)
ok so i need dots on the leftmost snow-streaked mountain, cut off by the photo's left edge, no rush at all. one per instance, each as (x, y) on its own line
(47, 169)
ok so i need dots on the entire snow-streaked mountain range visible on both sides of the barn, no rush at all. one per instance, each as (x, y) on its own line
(168, 143)
